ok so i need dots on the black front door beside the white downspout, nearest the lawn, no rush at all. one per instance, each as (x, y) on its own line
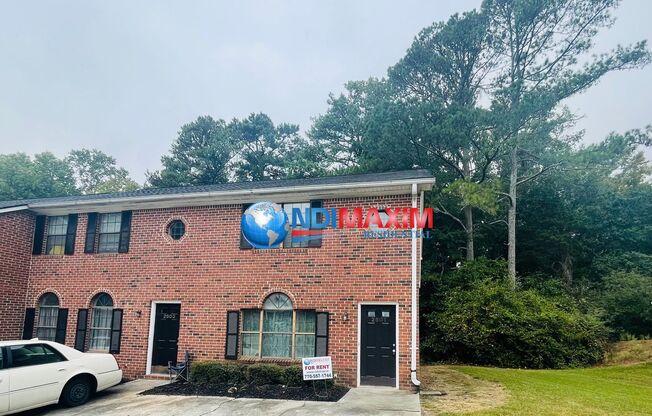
(378, 345)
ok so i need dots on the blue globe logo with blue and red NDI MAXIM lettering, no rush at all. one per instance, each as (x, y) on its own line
(266, 224)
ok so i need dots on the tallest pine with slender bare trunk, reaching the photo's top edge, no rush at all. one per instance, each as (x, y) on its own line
(540, 44)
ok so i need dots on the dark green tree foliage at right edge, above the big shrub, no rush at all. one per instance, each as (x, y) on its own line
(594, 209)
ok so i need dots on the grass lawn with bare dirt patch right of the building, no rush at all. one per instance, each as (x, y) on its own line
(606, 390)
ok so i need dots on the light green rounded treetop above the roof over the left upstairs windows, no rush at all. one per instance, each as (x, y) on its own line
(97, 172)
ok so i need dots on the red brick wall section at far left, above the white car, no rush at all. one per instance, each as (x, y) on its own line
(15, 256)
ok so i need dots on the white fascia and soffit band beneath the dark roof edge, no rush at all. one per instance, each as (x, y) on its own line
(234, 197)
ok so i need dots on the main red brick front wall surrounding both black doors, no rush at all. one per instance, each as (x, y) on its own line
(210, 275)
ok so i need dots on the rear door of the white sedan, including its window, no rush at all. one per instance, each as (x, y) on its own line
(37, 373)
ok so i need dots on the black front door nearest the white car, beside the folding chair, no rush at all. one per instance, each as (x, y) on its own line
(166, 335)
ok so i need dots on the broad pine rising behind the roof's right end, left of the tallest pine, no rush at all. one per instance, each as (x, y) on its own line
(424, 114)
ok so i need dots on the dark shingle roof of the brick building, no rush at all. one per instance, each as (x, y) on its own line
(232, 186)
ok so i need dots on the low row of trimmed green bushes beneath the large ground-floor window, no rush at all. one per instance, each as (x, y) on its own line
(219, 372)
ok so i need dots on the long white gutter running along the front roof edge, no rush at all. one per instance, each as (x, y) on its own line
(217, 194)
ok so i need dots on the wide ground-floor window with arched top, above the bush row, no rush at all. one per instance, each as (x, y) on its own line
(278, 331)
